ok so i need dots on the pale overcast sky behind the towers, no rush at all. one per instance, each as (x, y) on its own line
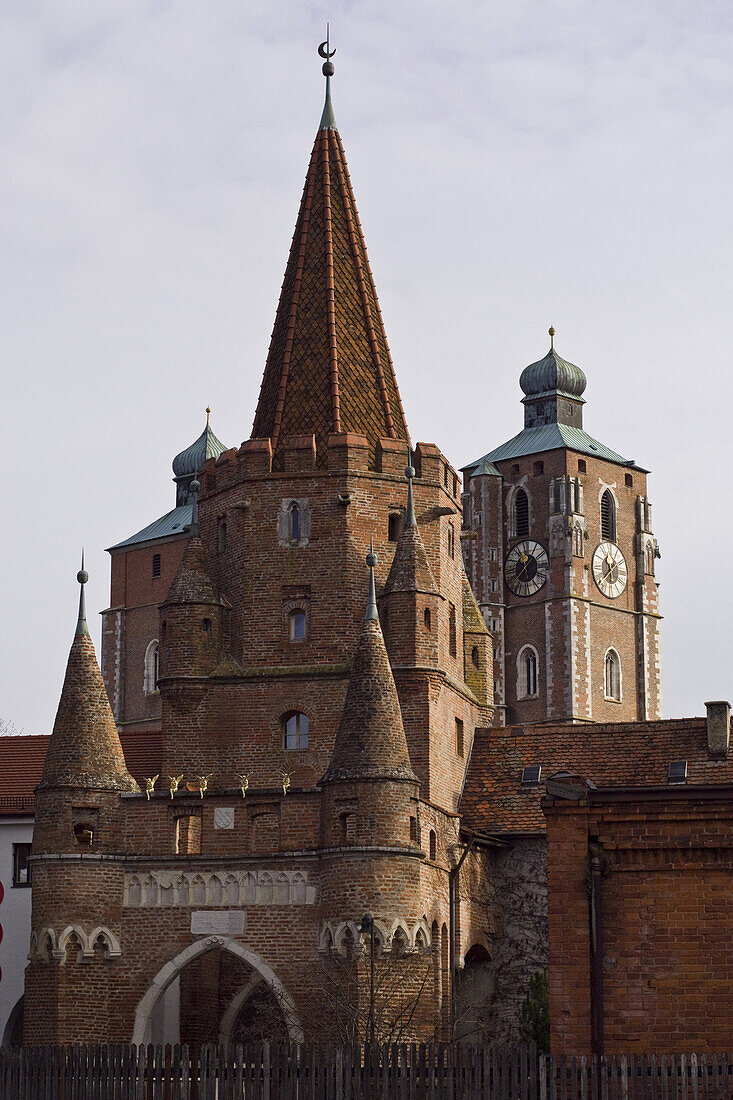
(515, 166)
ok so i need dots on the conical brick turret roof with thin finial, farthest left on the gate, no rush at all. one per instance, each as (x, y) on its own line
(85, 751)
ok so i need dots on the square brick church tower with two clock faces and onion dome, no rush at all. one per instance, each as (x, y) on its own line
(559, 545)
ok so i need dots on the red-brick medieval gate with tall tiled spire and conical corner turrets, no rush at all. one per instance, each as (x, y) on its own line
(313, 756)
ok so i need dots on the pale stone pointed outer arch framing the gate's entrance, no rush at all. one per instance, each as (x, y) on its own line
(172, 971)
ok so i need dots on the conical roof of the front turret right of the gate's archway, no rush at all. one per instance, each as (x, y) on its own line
(371, 743)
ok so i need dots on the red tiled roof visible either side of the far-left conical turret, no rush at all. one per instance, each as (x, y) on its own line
(23, 760)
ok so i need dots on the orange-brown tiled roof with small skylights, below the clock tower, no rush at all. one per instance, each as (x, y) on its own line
(636, 754)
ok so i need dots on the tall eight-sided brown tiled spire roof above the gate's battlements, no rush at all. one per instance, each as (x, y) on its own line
(330, 368)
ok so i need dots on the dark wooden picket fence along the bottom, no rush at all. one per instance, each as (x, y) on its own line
(414, 1072)
